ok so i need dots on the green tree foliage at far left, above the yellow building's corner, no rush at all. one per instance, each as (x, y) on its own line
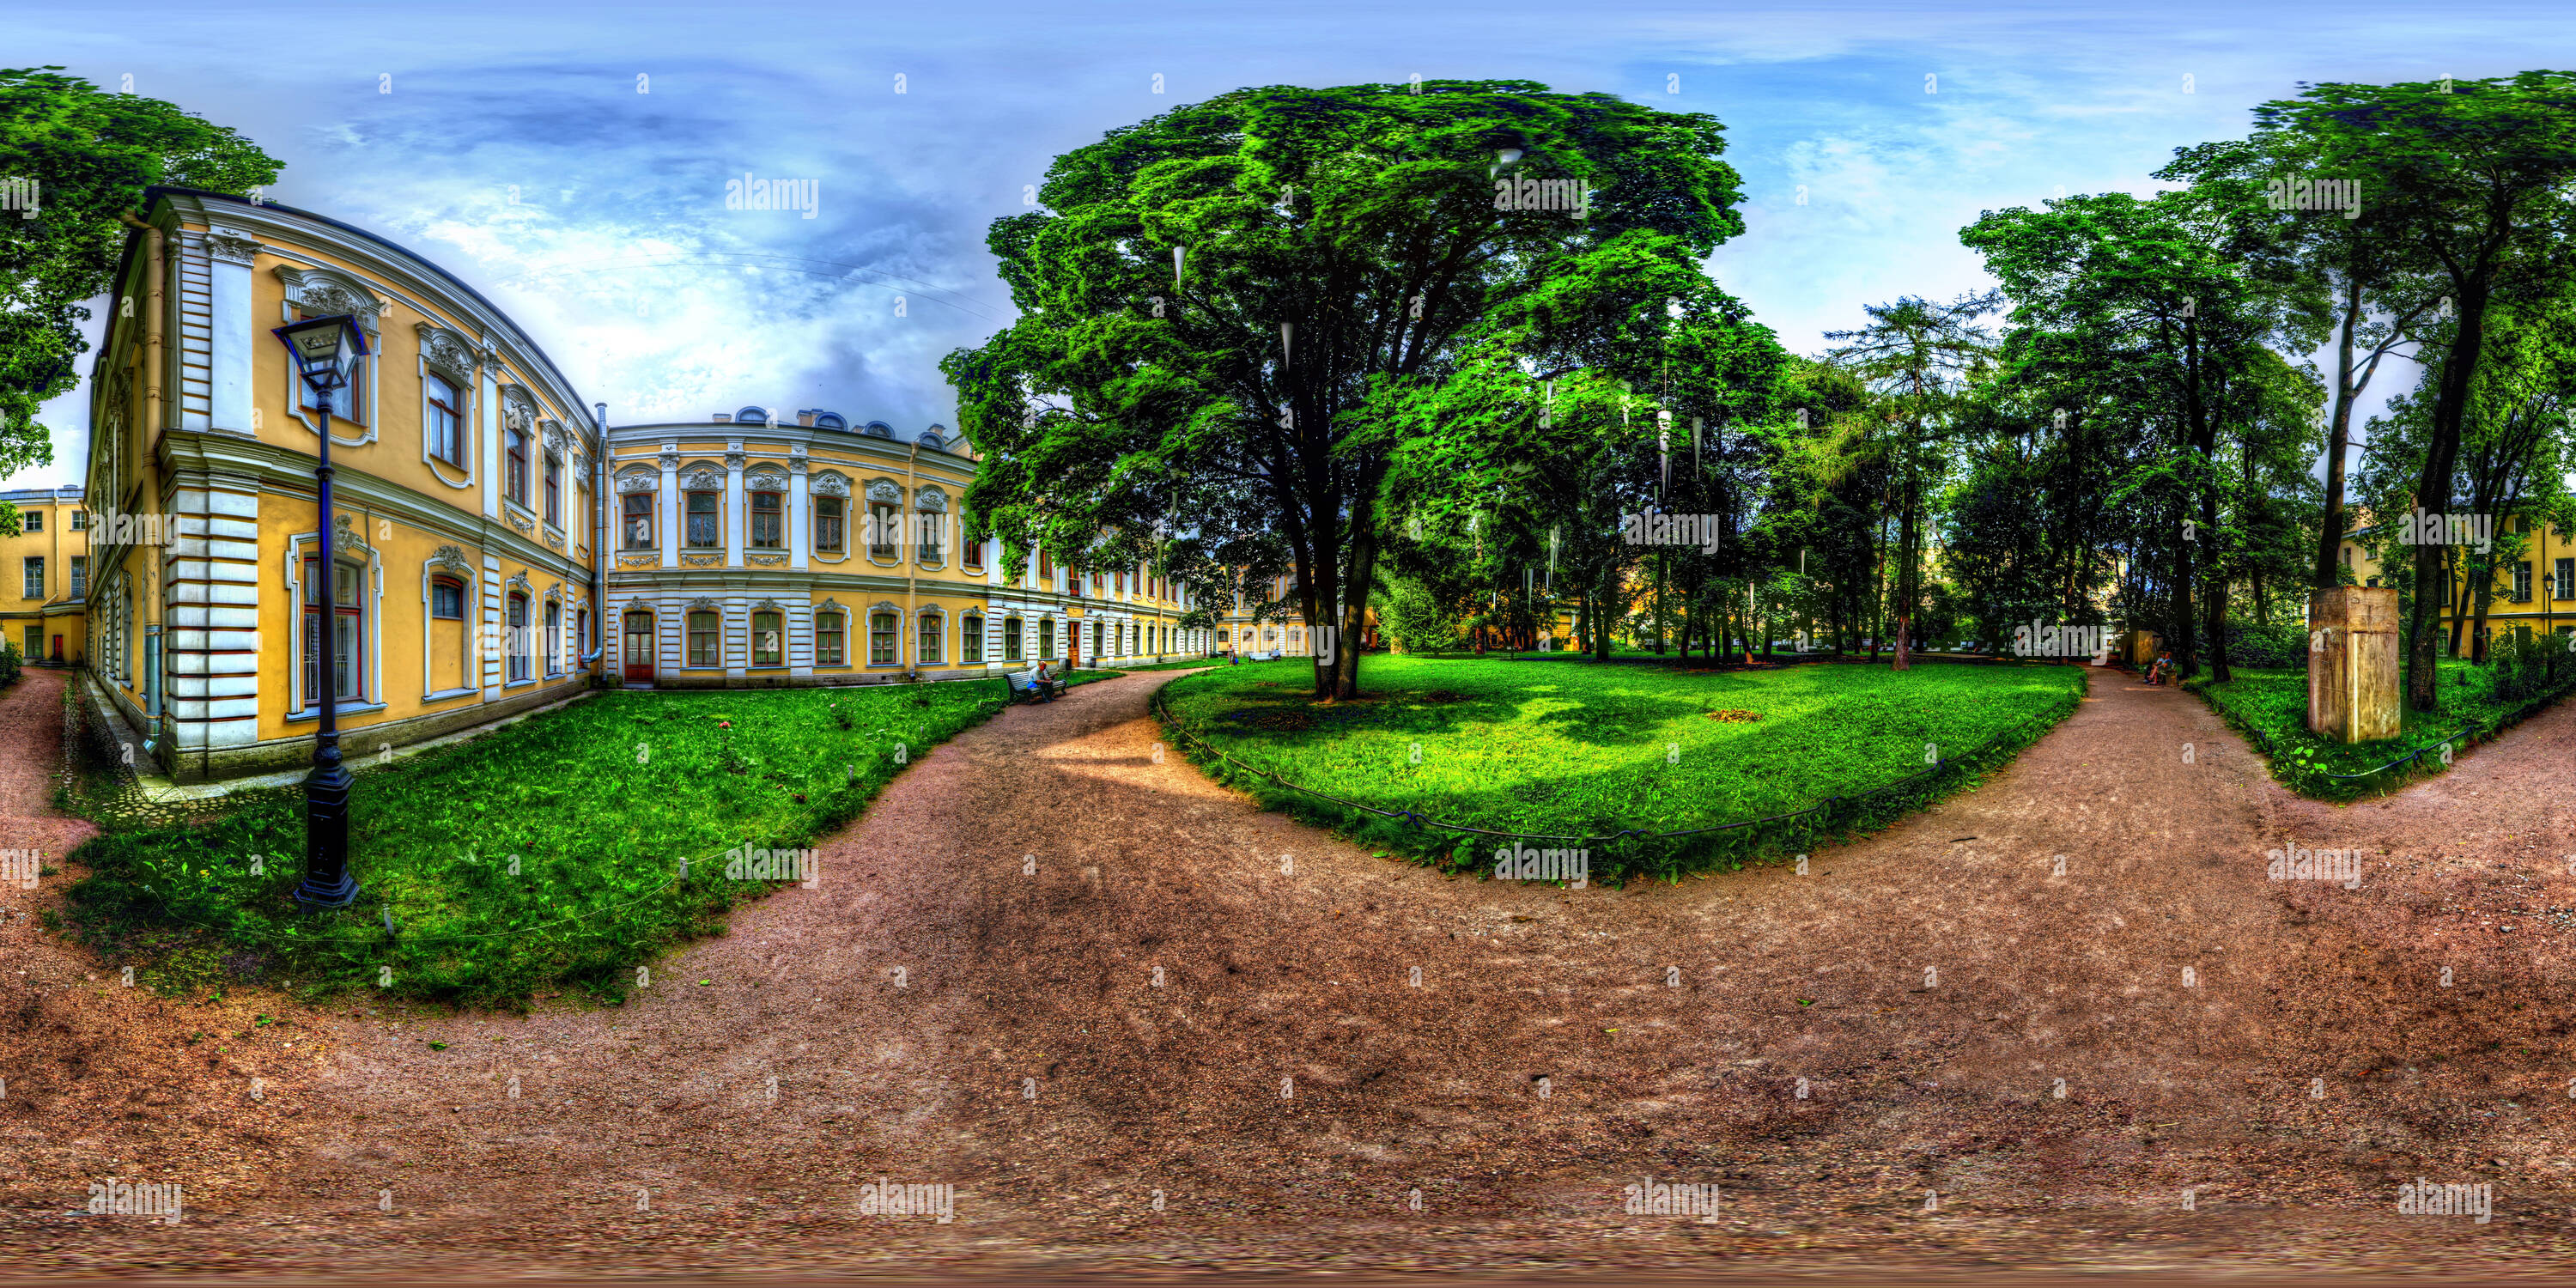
(91, 158)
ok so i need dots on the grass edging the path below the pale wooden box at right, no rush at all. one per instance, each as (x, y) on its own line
(2309, 764)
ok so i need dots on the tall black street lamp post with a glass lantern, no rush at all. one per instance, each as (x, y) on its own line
(326, 352)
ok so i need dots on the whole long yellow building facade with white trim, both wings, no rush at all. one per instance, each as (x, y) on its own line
(496, 545)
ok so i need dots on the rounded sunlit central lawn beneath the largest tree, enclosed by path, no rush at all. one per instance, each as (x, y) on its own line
(1580, 748)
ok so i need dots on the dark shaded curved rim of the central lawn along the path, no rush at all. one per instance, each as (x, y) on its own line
(1629, 854)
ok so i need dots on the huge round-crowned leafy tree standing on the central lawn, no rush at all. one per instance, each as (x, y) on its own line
(1238, 313)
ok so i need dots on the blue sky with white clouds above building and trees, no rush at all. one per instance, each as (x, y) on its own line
(511, 143)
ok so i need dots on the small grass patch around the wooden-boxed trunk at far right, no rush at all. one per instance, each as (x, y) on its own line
(2276, 705)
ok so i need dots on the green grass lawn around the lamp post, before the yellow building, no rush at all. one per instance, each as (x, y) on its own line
(537, 857)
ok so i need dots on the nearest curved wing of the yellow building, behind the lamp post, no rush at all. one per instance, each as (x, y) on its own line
(462, 583)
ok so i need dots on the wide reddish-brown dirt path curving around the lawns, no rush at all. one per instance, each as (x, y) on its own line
(972, 998)
